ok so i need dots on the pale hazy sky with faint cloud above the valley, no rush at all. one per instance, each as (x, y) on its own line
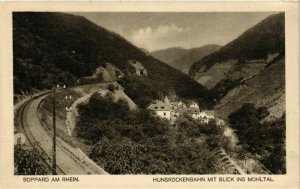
(154, 31)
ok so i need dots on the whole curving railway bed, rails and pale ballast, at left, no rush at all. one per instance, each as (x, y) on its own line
(70, 160)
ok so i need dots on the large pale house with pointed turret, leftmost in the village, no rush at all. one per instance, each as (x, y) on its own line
(161, 108)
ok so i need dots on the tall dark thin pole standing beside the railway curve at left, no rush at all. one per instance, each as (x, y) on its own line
(54, 134)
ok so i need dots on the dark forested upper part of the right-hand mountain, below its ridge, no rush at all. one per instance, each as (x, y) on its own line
(265, 38)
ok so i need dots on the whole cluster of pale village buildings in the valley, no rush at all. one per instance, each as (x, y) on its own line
(171, 110)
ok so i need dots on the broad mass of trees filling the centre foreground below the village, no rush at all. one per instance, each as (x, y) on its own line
(136, 142)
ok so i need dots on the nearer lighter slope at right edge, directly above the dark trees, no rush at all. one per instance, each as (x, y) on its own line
(267, 89)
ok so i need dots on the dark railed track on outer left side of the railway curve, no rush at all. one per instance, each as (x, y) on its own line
(23, 127)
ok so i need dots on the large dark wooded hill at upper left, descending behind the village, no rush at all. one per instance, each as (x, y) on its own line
(51, 48)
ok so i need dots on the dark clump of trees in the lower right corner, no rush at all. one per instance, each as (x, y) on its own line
(267, 139)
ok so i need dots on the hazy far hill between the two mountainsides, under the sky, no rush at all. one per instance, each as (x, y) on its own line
(182, 59)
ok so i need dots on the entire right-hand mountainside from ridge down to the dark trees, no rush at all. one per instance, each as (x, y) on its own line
(250, 69)
